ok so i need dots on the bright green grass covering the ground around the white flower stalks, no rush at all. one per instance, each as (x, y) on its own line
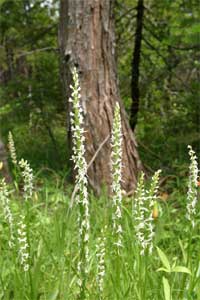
(53, 238)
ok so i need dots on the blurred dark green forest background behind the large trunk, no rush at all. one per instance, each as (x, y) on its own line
(33, 107)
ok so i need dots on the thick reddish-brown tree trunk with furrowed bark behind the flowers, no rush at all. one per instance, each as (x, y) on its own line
(87, 41)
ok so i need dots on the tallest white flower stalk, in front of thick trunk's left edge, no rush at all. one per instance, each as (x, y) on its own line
(80, 166)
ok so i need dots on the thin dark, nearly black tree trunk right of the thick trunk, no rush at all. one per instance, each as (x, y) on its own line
(135, 91)
